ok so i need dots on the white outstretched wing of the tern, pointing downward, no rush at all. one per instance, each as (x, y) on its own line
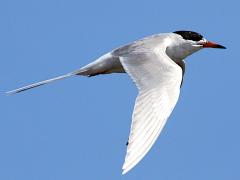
(158, 80)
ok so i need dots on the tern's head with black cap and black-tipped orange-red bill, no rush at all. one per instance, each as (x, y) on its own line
(185, 43)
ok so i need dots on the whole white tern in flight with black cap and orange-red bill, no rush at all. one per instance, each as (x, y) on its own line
(156, 65)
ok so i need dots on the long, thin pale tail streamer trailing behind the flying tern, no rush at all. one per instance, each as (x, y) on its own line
(38, 84)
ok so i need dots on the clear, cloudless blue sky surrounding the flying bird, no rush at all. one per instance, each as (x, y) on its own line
(78, 128)
